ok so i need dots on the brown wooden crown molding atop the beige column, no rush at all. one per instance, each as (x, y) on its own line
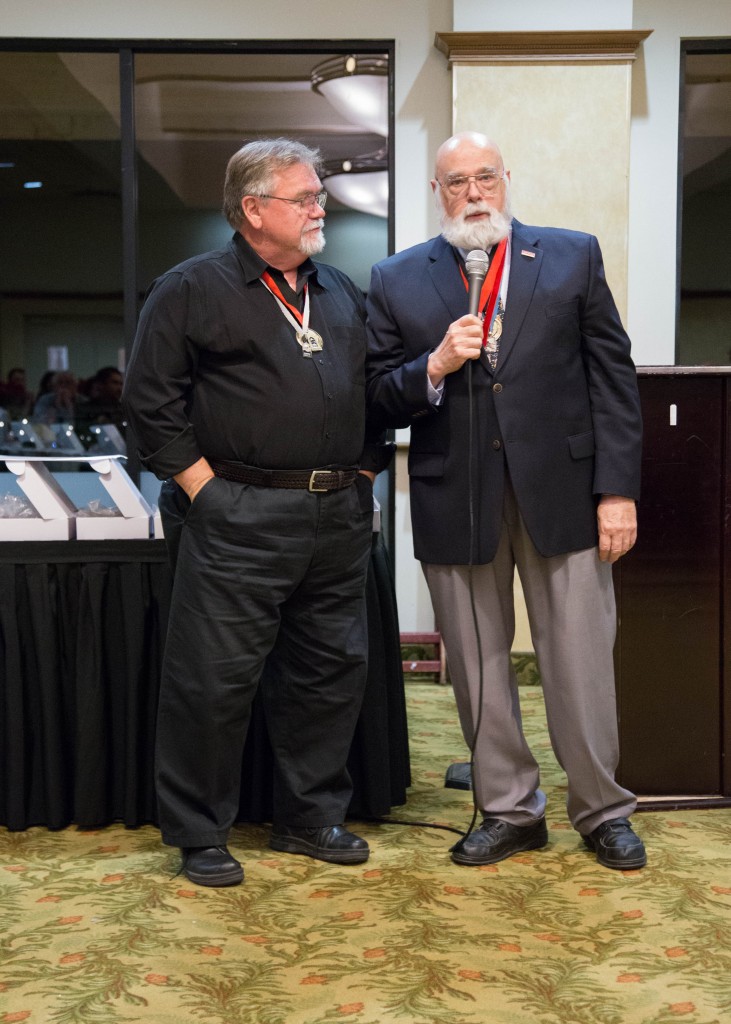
(540, 48)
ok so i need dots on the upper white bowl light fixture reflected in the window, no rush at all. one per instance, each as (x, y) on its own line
(358, 88)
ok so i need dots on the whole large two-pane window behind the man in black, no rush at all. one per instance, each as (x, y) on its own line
(87, 229)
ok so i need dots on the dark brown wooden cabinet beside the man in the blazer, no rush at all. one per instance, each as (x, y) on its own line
(674, 596)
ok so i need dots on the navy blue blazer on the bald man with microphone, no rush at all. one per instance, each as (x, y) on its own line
(562, 412)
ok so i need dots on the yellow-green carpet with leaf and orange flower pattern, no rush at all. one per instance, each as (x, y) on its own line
(98, 928)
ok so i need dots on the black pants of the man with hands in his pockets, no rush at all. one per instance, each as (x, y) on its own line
(263, 574)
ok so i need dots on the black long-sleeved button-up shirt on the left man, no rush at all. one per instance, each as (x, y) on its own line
(217, 370)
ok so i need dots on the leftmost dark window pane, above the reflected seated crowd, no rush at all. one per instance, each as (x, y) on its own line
(61, 266)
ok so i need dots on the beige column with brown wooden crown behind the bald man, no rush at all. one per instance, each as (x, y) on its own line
(558, 106)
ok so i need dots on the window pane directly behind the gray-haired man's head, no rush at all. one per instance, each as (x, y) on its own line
(194, 111)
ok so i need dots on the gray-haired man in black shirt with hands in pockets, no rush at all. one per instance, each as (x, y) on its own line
(246, 389)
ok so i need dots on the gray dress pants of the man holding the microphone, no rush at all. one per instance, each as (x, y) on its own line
(572, 612)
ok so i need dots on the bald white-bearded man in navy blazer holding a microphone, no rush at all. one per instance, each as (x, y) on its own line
(526, 446)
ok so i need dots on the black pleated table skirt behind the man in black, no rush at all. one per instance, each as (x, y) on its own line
(82, 630)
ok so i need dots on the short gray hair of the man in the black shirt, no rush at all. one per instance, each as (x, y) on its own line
(252, 168)
